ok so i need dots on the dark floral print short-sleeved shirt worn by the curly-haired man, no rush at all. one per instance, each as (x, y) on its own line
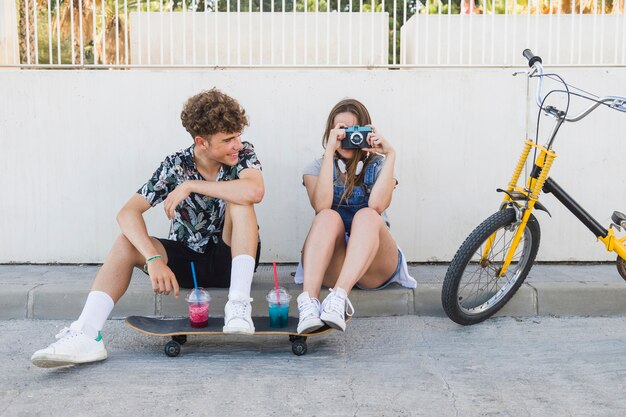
(199, 219)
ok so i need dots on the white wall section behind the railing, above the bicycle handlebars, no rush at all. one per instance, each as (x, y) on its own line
(499, 39)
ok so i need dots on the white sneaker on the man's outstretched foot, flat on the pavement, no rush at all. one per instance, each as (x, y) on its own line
(73, 347)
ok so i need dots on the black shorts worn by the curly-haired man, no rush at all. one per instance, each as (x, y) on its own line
(212, 267)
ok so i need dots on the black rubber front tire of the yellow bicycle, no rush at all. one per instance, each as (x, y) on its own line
(449, 291)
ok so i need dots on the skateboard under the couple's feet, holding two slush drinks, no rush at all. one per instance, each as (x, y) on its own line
(179, 329)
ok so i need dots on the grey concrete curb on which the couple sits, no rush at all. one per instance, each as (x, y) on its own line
(57, 292)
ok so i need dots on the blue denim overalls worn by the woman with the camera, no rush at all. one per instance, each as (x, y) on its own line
(360, 194)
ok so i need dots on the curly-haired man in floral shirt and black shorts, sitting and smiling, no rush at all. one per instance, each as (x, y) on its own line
(208, 191)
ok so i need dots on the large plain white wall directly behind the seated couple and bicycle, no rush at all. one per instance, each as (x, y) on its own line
(75, 145)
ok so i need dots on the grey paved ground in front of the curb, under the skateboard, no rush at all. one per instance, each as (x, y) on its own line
(391, 366)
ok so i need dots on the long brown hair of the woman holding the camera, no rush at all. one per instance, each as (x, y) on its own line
(363, 118)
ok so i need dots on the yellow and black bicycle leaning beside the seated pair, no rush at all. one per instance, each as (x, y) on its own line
(496, 257)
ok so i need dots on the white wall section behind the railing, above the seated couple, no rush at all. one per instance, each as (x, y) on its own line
(259, 38)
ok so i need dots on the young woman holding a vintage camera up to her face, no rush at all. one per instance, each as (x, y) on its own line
(349, 242)
